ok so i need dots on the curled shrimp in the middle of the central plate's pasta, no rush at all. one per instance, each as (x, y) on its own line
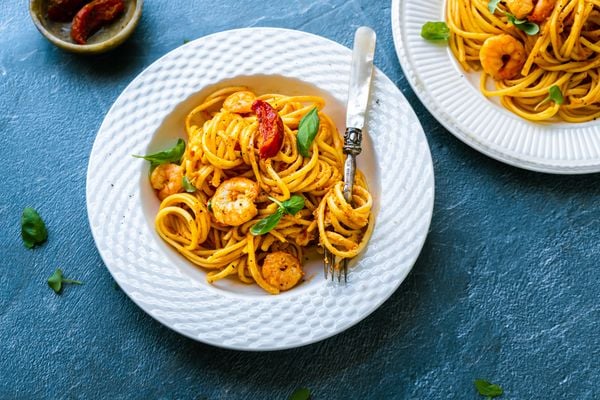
(233, 201)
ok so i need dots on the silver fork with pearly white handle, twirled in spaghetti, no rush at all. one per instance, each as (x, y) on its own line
(358, 97)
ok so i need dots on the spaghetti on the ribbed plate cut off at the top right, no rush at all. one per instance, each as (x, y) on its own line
(565, 54)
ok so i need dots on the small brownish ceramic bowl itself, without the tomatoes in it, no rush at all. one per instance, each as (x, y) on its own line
(107, 38)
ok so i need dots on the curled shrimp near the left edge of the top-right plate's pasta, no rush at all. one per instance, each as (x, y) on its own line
(502, 57)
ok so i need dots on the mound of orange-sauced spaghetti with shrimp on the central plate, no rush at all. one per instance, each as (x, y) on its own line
(231, 186)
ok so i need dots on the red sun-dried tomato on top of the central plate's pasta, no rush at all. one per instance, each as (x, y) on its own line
(270, 128)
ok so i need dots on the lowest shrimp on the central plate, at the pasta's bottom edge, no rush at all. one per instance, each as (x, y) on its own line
(282, 270)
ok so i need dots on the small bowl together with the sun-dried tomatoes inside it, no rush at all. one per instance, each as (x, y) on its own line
(86, 26)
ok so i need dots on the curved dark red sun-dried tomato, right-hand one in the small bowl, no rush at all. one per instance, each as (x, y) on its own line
(93, 16)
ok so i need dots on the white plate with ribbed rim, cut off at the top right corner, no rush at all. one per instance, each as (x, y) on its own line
(453, 97)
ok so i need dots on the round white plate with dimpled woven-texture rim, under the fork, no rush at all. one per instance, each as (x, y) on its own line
(149, 116)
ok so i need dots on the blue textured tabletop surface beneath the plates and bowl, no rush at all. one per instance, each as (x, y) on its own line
(506, 288)
